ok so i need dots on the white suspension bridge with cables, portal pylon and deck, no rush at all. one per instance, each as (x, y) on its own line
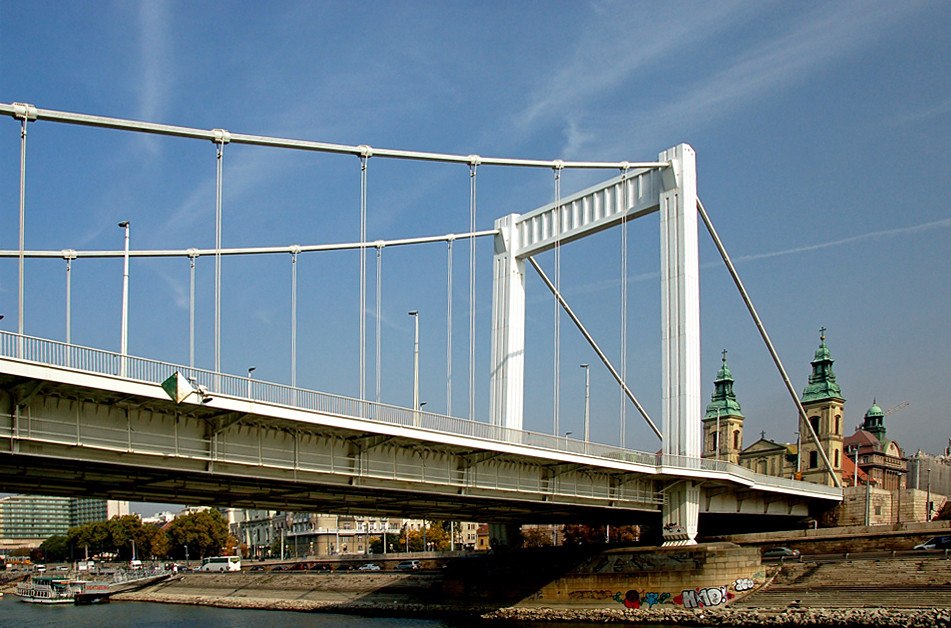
(84, 421)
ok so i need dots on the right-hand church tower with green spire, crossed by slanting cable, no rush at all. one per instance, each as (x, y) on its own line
(824, 405)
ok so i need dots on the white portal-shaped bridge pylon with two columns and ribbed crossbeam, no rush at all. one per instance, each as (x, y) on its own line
(672, 191)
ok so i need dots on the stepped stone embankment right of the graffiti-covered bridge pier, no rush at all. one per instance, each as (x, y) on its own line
(864, 583)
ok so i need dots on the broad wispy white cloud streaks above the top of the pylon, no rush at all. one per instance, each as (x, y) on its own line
(595, 74)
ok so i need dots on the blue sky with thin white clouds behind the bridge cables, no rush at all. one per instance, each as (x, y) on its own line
(820, 131)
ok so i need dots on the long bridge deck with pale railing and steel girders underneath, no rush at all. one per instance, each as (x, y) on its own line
(87, 432)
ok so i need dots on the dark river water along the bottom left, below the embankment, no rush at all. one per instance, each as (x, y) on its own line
(13, 612)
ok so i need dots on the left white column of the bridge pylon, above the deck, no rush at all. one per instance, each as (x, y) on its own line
(508, 328)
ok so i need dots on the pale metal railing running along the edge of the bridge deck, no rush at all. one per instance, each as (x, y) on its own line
(86, 359)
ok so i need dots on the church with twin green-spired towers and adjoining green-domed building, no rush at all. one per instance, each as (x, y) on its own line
(867, 457)
